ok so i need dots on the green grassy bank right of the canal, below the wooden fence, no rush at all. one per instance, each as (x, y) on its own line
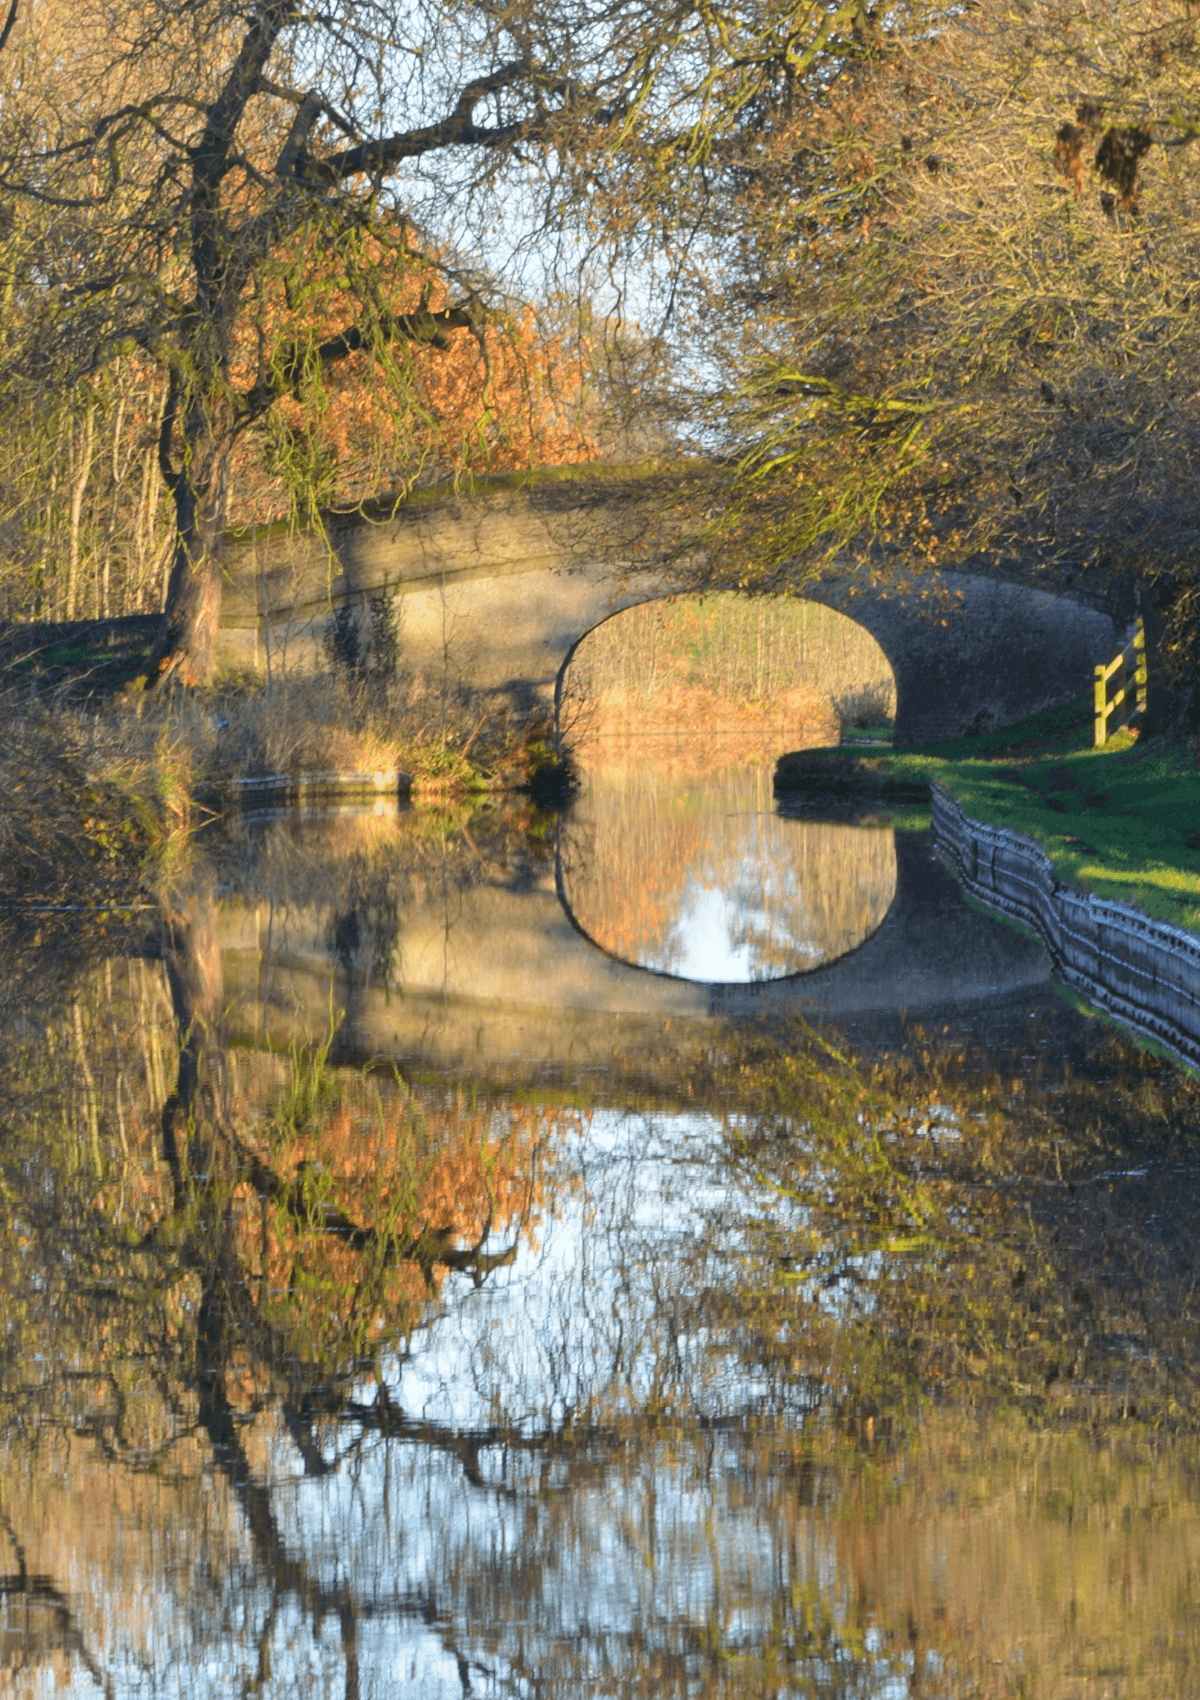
(1123, 822)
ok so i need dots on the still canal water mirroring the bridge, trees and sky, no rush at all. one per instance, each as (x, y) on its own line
(667, 1249)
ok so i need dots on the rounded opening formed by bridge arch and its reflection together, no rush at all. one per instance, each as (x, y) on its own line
(674, 856)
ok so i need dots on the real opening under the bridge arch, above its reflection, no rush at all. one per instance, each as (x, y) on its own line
(784, 671)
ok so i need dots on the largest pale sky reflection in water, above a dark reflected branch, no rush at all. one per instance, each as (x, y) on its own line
(580, 1322)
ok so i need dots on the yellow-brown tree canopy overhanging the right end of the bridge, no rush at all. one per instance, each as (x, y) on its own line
(963, 302)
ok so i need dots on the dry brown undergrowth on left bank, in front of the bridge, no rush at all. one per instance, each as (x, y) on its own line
(105, 795)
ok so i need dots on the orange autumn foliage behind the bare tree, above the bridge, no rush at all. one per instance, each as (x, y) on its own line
(405, 412)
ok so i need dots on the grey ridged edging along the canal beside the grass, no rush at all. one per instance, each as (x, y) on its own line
(1145, 973)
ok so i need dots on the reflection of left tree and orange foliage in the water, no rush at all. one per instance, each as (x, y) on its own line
(193, 1283)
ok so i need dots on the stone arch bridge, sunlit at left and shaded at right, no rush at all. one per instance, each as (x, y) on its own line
(497, 589)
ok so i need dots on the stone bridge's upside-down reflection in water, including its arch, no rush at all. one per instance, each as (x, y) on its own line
(536, 960)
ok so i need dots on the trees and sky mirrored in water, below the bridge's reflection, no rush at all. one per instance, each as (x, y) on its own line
(815, 1376)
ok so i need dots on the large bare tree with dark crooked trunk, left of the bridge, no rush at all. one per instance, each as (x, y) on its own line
(249, 195)
